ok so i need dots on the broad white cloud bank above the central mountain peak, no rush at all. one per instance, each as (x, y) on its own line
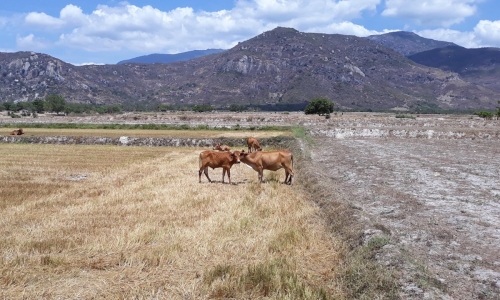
(147, 29)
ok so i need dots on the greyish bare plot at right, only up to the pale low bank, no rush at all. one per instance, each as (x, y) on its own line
(440, 200)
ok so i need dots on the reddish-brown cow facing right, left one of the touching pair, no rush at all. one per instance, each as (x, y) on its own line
(213, 159)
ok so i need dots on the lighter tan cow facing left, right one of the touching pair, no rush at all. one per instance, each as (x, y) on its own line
(270, 160)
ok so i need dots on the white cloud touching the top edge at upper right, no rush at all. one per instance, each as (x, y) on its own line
(431, 12)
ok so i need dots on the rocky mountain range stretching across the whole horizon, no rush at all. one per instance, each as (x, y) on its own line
(277, 69)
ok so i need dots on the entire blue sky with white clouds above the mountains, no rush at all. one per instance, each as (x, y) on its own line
(107, 31)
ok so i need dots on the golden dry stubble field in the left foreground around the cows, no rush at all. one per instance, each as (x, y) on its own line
(94, 222)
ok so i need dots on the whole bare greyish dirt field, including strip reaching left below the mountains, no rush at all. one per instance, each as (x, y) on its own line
(429, 183)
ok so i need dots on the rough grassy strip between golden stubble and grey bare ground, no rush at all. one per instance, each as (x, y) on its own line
(361, 276)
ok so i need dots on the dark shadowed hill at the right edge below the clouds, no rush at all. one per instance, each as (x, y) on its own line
(479, 65)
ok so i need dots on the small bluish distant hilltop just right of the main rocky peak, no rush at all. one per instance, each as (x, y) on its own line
(407, 43)
